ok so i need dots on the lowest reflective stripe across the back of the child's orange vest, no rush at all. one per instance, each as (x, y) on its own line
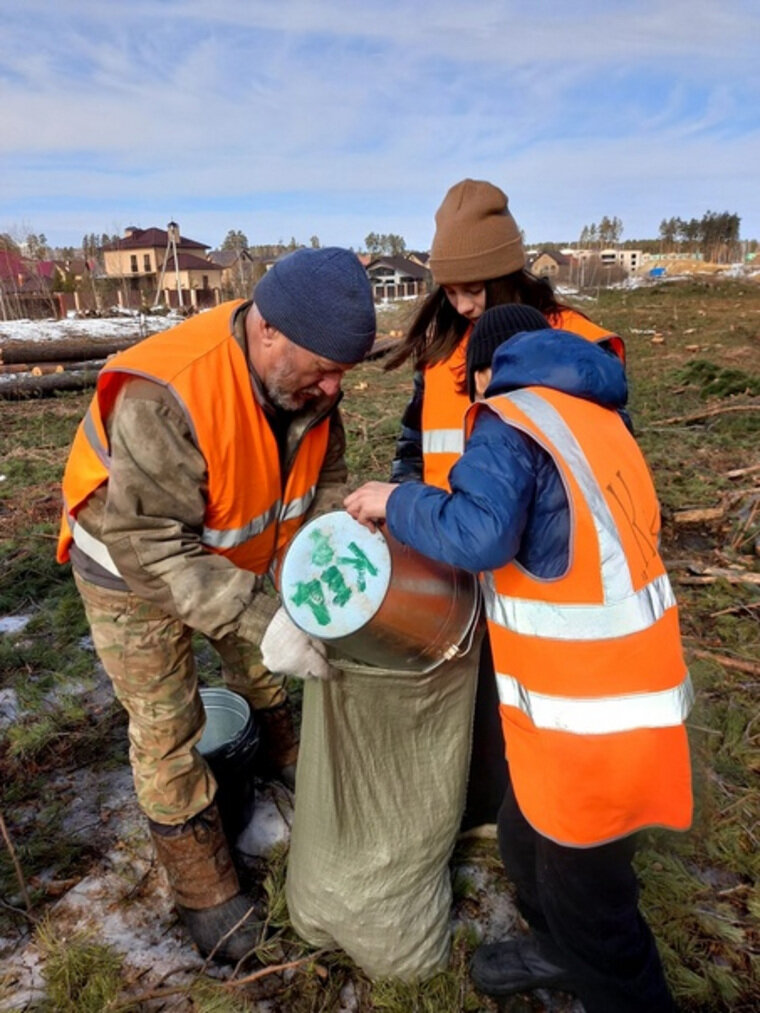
(599, 716)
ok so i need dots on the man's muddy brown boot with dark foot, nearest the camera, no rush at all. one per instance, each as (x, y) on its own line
(221, 920)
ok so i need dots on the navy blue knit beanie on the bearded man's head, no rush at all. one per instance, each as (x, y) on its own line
(321, 299)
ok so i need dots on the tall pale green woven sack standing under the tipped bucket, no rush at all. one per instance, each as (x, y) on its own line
(381, 790)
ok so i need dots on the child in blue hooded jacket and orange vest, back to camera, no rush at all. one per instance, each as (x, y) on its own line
(511, 503)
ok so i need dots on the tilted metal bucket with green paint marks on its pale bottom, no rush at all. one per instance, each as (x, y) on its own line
(374, 600)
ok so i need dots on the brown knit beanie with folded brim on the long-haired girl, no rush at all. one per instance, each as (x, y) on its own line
(477, 238)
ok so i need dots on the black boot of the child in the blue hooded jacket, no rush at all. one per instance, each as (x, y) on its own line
(516, 966)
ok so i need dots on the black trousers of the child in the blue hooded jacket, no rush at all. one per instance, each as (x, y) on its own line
(583, 906)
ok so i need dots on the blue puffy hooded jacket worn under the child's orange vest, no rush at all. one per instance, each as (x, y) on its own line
(508, 500)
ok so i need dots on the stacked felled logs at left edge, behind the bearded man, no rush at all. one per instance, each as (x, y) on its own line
(34, 369)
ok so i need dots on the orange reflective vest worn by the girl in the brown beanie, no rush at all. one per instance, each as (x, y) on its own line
(444, 407)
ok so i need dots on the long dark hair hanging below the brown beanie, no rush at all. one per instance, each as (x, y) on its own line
(437, 328)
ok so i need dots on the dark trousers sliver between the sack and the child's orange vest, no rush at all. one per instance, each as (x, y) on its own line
(487, 782)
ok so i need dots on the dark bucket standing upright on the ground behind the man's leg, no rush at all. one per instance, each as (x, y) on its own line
(230, 746)
